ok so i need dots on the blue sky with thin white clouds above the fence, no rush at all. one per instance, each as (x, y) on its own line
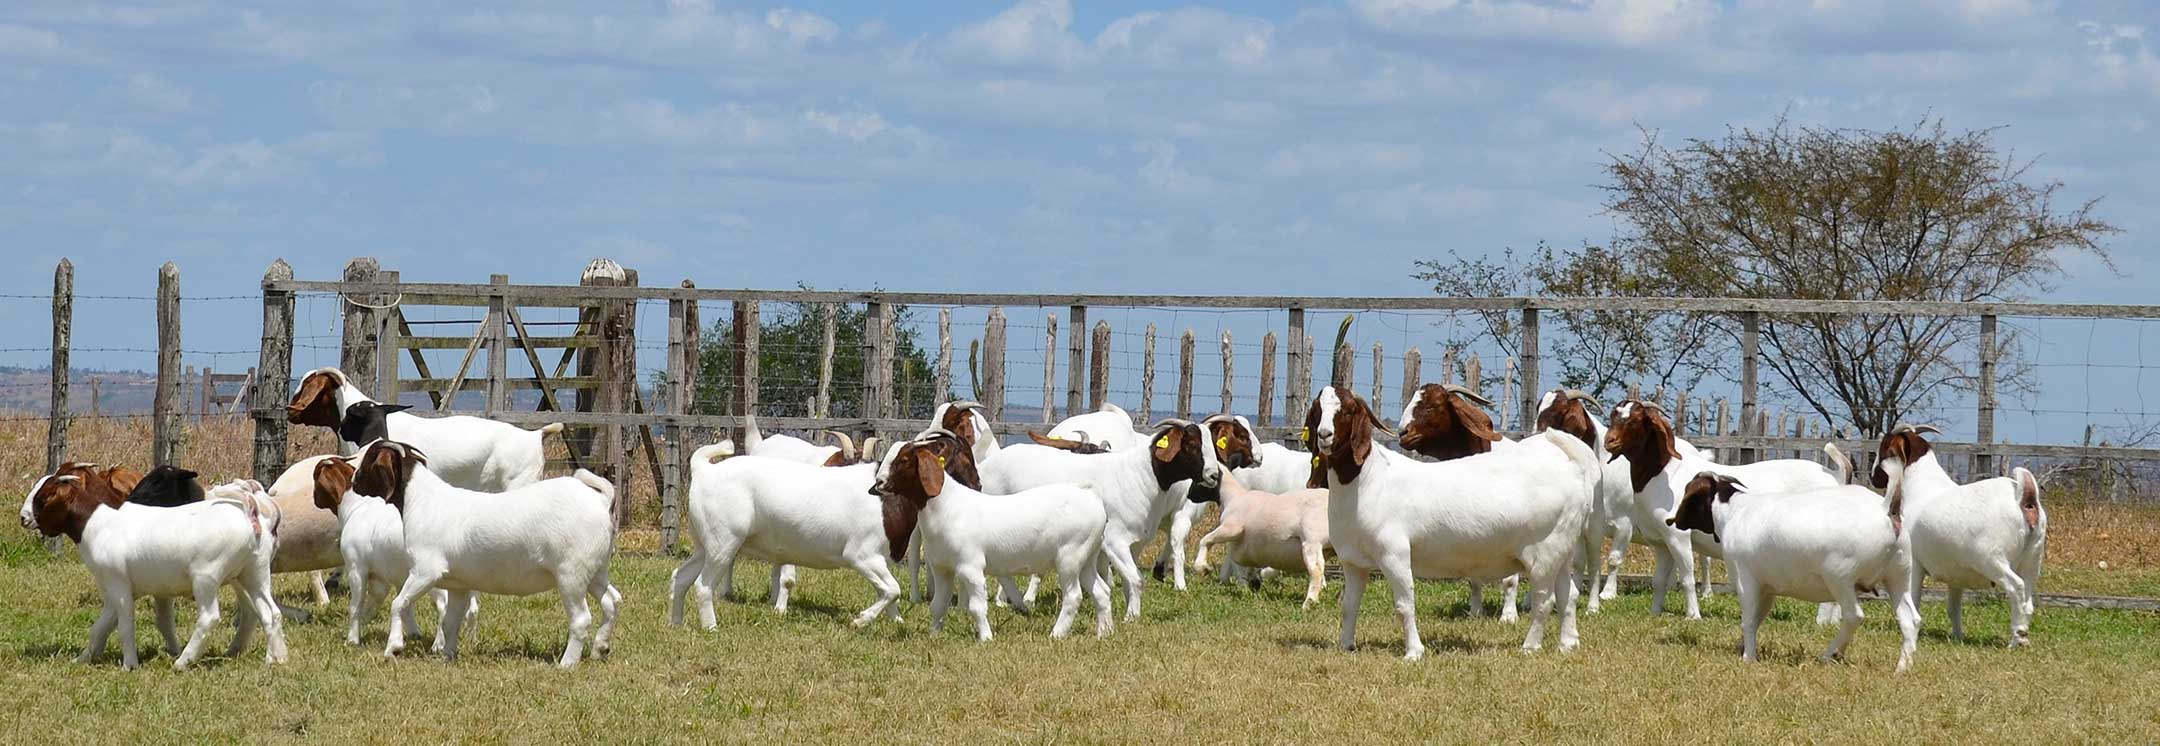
(1040, 146)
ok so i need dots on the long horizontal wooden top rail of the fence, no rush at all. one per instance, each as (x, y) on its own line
(586, 295)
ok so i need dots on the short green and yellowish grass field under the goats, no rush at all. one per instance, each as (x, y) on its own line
(1213, 665)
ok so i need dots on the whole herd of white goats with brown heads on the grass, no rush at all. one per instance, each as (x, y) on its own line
(455, 507)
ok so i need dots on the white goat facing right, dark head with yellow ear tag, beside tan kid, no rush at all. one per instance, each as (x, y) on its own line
(1135, 488)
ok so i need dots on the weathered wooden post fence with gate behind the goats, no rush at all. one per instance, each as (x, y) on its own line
(617, 423)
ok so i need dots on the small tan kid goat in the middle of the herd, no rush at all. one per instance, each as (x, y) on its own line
(1273, 531)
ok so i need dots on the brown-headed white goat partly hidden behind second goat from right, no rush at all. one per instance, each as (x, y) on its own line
(1660, 472)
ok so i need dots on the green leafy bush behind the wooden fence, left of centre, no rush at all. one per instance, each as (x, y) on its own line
(789, 347)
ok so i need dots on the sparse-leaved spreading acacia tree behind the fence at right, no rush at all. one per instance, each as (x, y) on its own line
(1826, 215)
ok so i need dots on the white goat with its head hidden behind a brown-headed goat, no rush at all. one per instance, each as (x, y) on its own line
(785, 514)
